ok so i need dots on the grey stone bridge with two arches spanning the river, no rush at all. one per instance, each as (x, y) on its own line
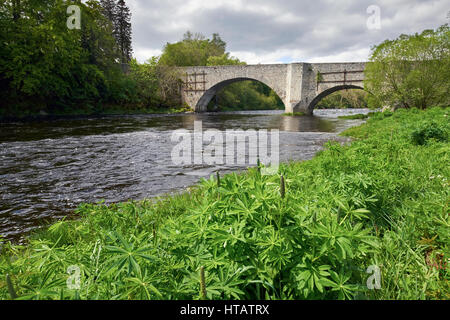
(299, 85)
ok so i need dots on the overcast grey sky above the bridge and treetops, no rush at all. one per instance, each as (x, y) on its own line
(283, 31)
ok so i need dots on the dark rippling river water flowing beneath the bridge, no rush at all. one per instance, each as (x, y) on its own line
(48, 168)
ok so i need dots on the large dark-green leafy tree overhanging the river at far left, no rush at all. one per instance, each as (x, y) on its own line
(45, 66)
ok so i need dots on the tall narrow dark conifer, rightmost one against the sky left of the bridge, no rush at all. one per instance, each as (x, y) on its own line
(123, 31)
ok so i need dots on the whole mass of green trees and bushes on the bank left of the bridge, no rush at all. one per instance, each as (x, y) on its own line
(44, 66)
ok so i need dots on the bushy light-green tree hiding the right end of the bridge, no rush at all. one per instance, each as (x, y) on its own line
(411, 71)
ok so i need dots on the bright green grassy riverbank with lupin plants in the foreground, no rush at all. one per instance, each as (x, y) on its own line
(381, 201)
